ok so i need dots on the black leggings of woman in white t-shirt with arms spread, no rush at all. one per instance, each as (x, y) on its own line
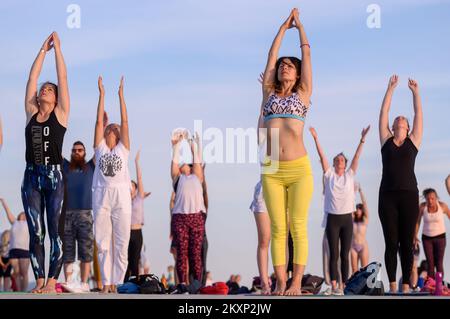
(339, 228)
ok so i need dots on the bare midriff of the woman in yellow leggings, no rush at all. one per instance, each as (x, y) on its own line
(290, 132)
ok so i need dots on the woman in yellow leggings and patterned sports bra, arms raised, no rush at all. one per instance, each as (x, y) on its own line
(287, 88)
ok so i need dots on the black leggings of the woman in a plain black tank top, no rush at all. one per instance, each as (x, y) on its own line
(398, 212)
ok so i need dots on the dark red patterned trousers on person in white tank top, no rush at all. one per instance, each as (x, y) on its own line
(188, 233)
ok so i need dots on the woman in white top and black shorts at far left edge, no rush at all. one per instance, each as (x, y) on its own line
(19, 244)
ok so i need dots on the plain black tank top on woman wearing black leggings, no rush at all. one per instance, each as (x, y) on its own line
(398, 166)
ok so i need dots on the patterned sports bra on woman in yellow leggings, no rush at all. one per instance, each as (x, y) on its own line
(290, 106)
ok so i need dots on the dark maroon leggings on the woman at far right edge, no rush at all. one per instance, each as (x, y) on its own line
(434, 248)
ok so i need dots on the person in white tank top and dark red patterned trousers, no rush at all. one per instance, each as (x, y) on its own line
(188, 212)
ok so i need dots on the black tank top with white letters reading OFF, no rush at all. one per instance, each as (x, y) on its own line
(44, 141)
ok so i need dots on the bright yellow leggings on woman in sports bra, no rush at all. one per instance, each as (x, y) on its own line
(288, 187)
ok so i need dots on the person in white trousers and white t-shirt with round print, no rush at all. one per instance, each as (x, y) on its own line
(111, 198)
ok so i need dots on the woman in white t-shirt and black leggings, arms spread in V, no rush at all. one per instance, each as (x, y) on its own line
(339, 205)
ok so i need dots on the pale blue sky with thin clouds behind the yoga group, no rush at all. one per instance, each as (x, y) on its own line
(200, 60)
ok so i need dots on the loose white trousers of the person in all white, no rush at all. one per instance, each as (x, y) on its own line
(112, 227)
